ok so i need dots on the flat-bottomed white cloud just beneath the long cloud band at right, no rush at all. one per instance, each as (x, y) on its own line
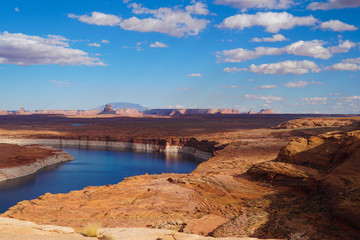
(286, 67)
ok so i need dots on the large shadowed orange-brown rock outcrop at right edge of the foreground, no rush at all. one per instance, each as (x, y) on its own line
(327, 165)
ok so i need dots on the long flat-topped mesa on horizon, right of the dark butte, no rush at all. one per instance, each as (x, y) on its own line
(176, 112)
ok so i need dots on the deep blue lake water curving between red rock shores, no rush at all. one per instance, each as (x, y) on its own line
(91, 168)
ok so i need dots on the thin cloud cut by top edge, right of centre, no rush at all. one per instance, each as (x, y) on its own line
(260, 4)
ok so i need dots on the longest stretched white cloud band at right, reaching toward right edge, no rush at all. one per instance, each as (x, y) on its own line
(314, 48)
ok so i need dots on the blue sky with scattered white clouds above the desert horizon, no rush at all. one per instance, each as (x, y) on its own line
(289, 55)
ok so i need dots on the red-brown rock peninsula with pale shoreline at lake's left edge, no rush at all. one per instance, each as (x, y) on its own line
(20, 165)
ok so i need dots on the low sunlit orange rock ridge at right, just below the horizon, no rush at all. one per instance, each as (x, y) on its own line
(317, 122)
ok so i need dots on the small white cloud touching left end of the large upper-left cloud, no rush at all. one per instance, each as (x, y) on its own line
(98, 18)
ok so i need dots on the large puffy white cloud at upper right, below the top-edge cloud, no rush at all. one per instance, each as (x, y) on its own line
(272, 21)
